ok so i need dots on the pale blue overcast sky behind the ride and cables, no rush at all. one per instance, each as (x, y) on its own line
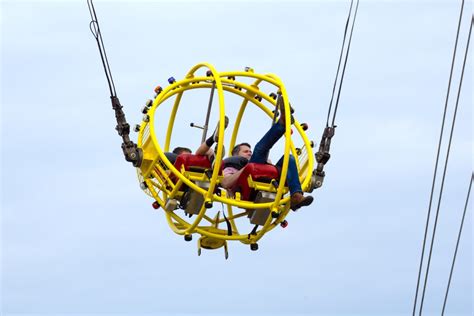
(80, 236)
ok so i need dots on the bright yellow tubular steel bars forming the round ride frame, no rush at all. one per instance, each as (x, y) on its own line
(162, 184)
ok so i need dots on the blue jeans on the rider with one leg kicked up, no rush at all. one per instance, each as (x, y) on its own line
(262, 149)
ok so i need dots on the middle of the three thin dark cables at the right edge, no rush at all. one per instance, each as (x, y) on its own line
(444, 173)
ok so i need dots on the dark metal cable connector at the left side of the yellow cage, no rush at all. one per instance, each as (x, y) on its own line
(130, 150)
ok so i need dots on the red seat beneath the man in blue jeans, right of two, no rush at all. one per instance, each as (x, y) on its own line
(258, 172)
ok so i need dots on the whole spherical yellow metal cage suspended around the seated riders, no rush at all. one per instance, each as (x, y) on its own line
(156, 170)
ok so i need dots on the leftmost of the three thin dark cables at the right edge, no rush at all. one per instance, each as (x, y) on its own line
(436, 163)
